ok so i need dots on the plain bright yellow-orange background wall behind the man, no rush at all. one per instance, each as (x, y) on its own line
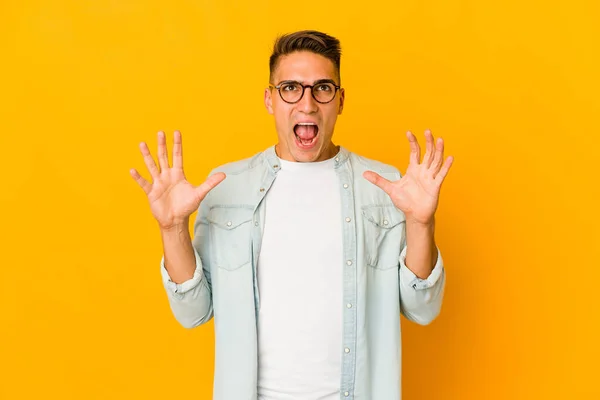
(511, 86)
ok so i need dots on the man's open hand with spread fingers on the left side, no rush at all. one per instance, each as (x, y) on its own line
(172, 198)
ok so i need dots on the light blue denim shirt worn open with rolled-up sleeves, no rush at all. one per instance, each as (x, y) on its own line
(377, 285)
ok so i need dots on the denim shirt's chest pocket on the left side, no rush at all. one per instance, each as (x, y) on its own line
(230, 236)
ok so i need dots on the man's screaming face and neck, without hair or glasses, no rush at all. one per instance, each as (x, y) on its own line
(305, 128)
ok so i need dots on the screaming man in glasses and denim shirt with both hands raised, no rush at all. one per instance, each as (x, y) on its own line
(306, 254)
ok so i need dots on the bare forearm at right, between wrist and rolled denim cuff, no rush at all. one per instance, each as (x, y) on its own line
(421, 251)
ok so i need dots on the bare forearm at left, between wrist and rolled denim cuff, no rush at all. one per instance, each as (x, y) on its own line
(179, 256)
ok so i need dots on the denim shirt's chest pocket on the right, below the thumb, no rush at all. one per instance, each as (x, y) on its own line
(384, 230)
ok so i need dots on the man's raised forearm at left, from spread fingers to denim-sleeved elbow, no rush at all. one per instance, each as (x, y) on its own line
(172, 200)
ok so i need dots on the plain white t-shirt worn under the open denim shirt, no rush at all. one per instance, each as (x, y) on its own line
(300, 280)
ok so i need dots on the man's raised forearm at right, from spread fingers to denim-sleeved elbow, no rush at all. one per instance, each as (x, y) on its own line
(421, 274)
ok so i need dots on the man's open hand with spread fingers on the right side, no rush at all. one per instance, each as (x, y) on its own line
(416, 194)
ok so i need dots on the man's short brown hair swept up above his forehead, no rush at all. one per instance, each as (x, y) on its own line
(313, 41)
